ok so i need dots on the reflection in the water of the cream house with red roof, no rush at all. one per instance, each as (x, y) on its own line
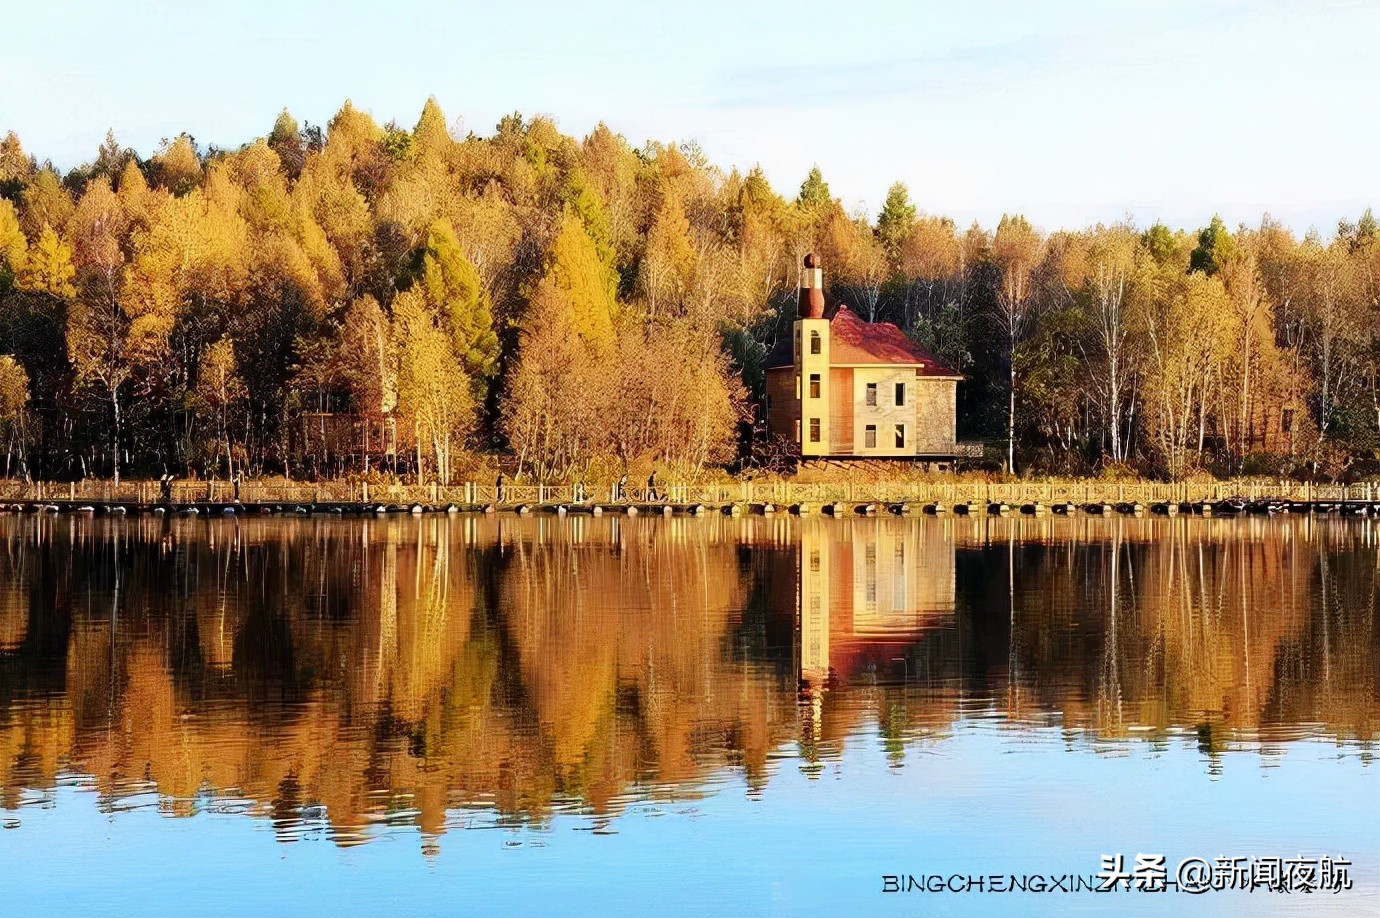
(870, 587)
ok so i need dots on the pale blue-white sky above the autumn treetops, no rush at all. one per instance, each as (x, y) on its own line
(1067, 113)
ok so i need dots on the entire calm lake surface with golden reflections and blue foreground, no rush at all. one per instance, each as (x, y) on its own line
(677, 716)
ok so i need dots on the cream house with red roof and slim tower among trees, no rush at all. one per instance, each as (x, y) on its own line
(842, 387)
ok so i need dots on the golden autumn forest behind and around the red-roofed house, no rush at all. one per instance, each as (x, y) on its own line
(361, 299)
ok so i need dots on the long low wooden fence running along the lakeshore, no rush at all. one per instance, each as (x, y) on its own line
(785, 494)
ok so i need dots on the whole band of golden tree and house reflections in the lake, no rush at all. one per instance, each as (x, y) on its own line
(333, 676)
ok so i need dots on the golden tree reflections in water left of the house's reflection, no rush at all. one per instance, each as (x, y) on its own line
(390, 666)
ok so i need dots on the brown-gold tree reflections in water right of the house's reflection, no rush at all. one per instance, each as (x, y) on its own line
(1185, 622)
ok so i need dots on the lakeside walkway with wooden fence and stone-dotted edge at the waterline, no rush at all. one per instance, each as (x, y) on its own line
(731, 498)
